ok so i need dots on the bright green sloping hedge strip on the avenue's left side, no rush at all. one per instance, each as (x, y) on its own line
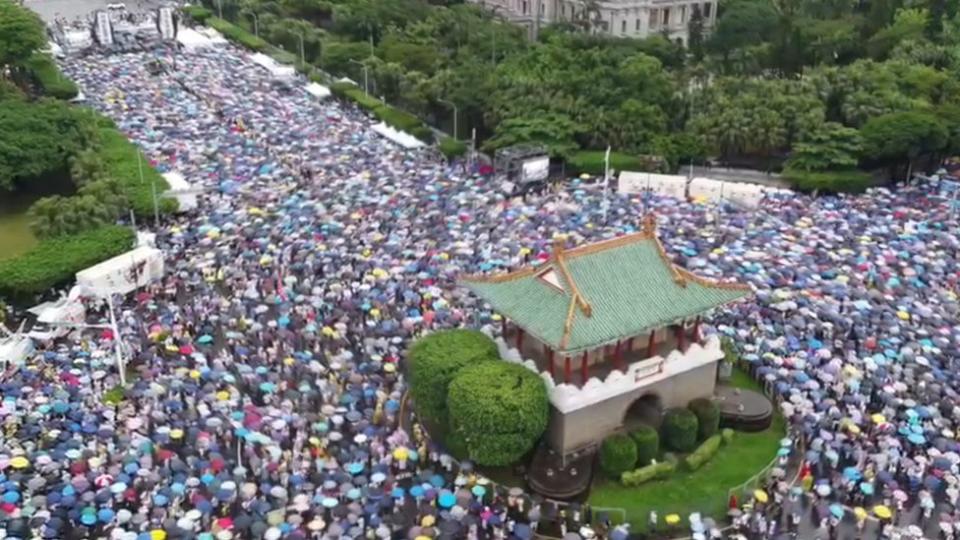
(119, 157)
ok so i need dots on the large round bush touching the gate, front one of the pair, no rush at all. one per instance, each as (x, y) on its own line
(500, 409)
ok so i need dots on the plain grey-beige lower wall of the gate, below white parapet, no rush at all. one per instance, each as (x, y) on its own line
(583, 427)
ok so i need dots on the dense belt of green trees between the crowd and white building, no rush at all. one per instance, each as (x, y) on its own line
(773, 81)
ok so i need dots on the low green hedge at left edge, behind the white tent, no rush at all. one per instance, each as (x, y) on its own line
(55, 261)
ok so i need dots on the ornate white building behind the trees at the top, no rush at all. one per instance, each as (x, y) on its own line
(621, 18)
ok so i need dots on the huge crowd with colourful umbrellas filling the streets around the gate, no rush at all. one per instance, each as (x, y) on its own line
(266, 394)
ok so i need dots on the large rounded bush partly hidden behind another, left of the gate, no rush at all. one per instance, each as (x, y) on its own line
(435, 361)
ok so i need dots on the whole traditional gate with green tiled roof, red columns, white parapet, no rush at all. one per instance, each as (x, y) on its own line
(608, 324)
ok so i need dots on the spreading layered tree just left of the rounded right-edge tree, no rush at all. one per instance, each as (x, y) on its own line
(829, 146)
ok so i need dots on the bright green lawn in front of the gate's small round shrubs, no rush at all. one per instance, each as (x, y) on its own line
(702, 491)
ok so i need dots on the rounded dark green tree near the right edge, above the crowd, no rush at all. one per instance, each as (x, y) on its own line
(903, 136)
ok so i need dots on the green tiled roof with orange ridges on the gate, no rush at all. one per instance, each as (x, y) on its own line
(596, 294)
